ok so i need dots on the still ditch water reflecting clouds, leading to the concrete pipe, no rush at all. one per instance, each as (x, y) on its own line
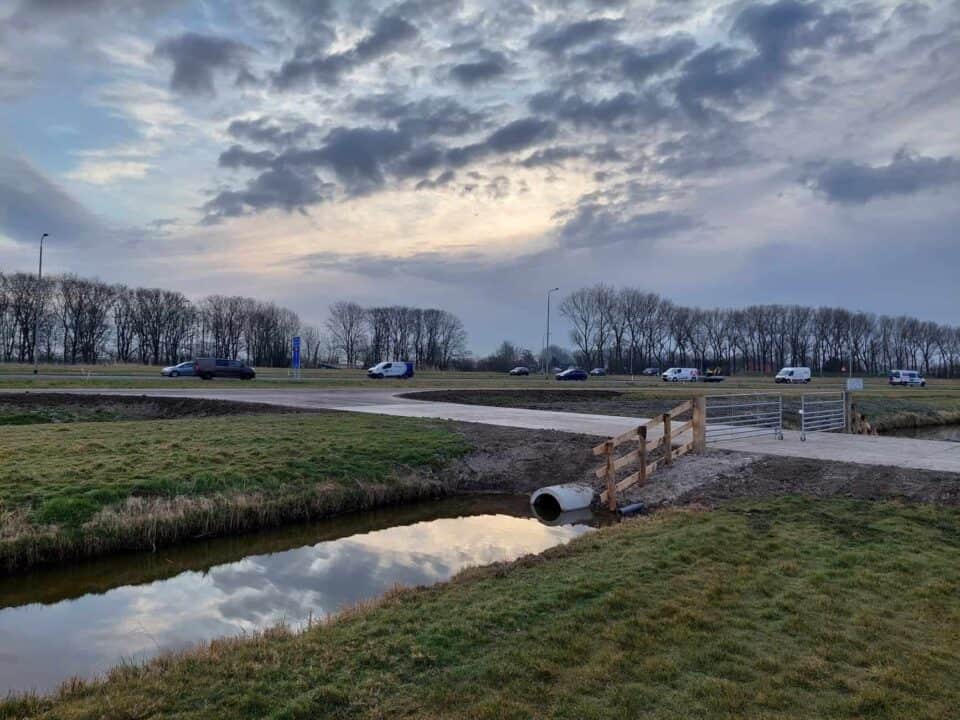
(81, 620)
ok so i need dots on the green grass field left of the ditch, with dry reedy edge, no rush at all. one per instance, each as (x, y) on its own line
(88, 488)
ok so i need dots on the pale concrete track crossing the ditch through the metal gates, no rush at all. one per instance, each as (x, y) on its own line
(890, 451)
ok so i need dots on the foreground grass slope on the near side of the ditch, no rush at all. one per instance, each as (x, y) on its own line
(787, 609)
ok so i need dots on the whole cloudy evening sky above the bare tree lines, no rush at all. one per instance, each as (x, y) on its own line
(471, 155)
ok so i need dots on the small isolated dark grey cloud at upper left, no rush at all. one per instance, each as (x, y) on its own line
(196, 57)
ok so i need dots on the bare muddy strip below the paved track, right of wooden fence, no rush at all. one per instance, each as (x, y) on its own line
(719, 476)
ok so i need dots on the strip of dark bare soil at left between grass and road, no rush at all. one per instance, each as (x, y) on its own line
(28, 408)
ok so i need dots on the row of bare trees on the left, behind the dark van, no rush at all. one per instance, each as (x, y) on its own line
(73, 320)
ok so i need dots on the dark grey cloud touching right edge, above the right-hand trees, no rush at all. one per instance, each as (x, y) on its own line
(849, 183)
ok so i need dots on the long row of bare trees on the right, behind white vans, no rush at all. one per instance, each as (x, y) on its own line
(620, 328)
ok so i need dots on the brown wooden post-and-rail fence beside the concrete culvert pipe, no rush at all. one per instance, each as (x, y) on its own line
(640, 456)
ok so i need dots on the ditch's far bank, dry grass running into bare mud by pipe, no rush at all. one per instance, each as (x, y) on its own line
(501, 460)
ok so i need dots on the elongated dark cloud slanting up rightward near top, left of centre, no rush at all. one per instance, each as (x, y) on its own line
(389, 33)
